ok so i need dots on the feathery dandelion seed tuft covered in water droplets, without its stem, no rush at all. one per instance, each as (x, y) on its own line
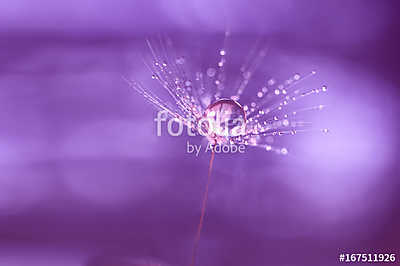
(198, 95)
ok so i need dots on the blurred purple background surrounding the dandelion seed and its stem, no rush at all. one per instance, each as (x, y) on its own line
(85, 181)
